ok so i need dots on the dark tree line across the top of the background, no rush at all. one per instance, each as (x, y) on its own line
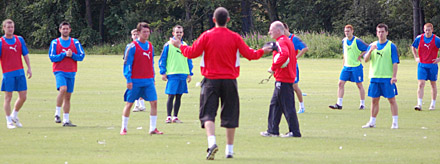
(96, 22)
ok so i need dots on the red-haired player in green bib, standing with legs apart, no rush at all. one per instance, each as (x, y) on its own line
(353, 49)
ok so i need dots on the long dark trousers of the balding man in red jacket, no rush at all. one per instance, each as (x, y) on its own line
(283, 102)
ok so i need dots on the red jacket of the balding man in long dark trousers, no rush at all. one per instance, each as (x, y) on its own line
(286, 50)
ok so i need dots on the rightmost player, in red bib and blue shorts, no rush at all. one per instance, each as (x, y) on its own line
(425, 50)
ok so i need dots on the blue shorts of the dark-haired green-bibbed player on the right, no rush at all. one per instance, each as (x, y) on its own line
(384, 88)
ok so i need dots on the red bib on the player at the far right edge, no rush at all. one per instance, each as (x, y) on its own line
(427, 51)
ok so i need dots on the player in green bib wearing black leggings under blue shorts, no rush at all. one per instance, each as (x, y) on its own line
(176, 69)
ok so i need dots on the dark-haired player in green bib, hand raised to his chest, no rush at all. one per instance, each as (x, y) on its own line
(383, 74)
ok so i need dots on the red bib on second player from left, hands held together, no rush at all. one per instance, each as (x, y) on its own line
(67, 64)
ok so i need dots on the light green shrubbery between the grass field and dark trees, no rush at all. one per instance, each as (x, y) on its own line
(321, 45)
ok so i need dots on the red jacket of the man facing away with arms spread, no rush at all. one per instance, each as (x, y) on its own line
(220, 49)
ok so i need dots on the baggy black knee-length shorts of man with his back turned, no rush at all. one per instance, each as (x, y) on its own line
(227, 91)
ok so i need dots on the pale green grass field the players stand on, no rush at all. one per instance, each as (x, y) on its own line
(328, 136)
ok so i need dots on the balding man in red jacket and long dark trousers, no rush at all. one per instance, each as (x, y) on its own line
(284, 70)
